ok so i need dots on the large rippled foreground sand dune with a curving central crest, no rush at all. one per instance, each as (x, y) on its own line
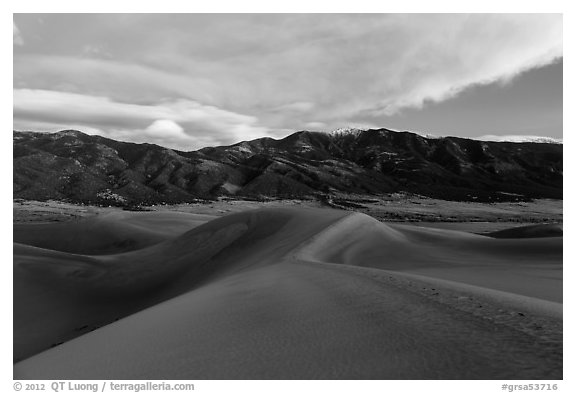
(288, 293)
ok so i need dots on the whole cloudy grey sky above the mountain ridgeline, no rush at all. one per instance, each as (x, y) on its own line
(188, 81)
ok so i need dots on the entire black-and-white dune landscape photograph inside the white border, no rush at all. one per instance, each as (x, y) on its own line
(288, 196)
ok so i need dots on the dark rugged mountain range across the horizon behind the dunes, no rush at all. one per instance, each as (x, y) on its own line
(70, 165)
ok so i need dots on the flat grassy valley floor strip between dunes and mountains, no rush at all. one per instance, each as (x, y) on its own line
(410, 209)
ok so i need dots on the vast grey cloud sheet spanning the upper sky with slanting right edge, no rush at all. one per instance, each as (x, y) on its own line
(285, 70)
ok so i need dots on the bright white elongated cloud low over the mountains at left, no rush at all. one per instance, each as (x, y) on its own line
(183, 124)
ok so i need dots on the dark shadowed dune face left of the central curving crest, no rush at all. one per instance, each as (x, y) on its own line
(64, 292)
